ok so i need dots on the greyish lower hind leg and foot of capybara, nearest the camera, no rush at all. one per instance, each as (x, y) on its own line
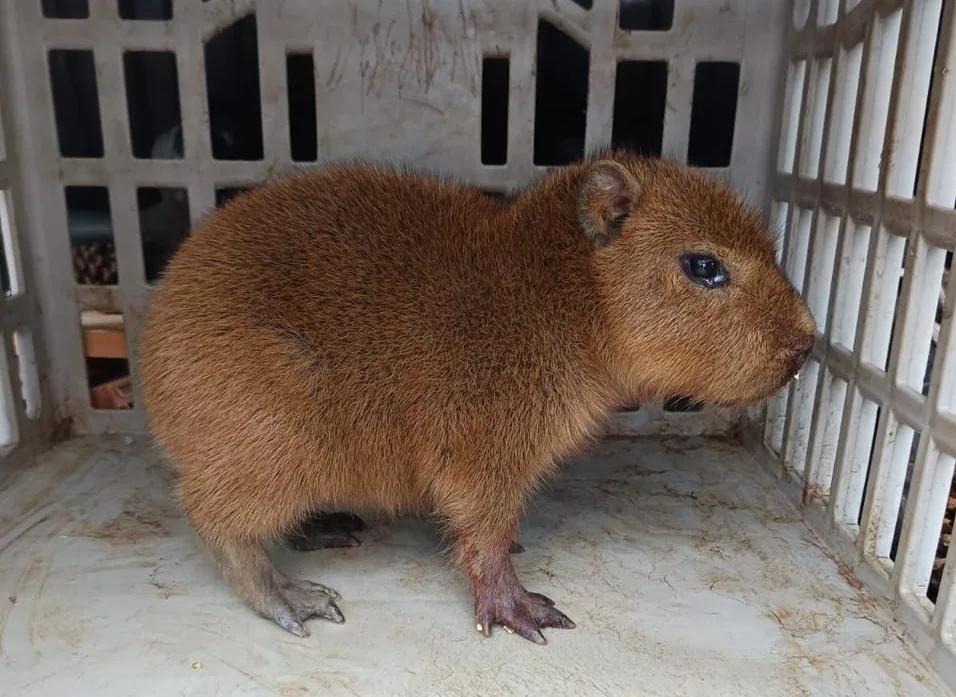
(288, 602)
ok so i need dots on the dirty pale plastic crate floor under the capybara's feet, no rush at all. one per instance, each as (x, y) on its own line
(686, 572)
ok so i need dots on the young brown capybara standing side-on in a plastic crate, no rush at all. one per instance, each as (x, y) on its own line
(359, 337)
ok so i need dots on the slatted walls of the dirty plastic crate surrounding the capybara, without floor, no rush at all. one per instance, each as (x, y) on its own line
(841, 126)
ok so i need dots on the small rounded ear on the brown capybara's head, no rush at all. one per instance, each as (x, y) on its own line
(607, 196)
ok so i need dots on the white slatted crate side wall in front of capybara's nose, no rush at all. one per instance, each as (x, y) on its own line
(869, 237)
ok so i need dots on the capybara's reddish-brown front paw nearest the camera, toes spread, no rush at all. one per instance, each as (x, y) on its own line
(519, 612)
